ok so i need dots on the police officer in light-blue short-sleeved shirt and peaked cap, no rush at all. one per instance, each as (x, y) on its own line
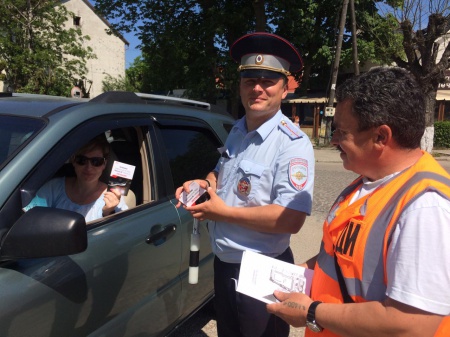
(262, 187)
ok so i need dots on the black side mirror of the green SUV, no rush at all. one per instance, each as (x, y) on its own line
(45, 232)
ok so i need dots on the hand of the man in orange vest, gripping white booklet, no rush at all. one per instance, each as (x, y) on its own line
(292, 308)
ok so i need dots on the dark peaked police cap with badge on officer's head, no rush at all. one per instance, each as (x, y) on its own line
(265, 53)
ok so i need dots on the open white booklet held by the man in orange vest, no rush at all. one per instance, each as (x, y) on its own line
(261, 275)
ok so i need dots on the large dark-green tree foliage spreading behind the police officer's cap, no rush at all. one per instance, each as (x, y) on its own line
(186, 42)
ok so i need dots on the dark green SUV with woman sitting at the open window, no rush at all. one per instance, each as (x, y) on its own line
(125, 274)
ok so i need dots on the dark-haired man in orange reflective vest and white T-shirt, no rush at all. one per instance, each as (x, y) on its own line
(384, 264)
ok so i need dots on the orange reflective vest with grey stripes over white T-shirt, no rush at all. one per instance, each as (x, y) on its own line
(359, 235)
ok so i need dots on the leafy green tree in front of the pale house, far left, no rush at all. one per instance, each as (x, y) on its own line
(40, 54)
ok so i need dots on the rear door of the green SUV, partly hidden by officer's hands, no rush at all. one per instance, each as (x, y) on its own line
(190, 145)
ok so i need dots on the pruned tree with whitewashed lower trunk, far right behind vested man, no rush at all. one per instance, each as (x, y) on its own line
(421, 27)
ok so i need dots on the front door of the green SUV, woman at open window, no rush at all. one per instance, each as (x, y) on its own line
(127, 281)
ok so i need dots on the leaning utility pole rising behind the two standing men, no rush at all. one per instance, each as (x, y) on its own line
(329, 109)
